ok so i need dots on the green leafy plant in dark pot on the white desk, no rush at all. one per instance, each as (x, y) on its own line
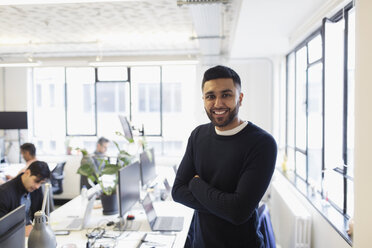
(99, 175)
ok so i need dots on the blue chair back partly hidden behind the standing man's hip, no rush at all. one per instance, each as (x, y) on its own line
(265, 227)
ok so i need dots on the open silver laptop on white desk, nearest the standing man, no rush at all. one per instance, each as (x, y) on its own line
(160, 223)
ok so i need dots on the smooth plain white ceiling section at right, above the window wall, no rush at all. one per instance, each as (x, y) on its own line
(265, 26)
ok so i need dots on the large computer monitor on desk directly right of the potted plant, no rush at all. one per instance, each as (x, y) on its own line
(129, 191)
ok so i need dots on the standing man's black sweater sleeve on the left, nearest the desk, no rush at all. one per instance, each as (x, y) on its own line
(186, 171)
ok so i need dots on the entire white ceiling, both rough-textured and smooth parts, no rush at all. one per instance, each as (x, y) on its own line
(94, 28)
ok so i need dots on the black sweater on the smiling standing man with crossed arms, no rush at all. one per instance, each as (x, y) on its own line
(235, 172)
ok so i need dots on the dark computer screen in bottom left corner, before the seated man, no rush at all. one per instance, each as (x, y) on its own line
(12, 228)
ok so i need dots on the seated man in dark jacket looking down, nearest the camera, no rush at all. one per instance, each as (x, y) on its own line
(25, 189)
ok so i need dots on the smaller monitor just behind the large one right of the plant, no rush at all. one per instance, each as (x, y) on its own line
(148, 171)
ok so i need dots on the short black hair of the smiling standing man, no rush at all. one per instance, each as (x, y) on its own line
(221, 71)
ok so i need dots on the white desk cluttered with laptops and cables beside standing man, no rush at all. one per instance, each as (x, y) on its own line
(127, 239)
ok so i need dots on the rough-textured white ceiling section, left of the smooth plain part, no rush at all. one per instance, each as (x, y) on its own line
(119, 28)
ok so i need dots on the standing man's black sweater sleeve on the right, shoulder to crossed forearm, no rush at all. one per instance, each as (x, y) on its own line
(237, 207)
